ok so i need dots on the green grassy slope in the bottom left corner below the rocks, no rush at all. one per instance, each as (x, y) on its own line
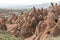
(6, 36)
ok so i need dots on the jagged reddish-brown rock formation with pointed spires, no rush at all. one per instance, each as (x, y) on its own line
(37, 24)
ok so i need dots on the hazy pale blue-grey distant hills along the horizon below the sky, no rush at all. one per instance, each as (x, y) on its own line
(10, 6)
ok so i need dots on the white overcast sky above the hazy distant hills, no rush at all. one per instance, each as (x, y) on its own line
(26, 2)
